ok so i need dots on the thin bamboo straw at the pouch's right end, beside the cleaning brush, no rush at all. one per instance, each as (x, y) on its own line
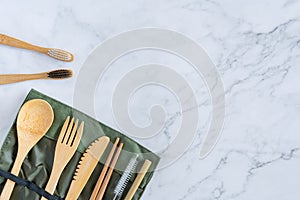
(138, 180)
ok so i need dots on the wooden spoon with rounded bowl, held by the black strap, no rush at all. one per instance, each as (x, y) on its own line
(34, 120)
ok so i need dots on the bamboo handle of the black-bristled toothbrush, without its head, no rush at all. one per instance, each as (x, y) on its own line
(13, 78)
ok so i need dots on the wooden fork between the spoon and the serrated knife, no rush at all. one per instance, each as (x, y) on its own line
(66, 146)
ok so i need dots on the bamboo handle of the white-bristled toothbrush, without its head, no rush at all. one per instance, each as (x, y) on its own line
(13, 42)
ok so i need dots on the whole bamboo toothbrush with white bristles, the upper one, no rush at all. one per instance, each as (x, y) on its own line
(52, 52)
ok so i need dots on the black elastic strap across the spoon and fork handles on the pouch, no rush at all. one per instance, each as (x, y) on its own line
(29, 185)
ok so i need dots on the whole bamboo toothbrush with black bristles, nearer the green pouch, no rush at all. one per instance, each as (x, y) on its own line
(56, 74)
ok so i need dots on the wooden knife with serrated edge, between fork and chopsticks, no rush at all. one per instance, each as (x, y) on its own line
(86, 166)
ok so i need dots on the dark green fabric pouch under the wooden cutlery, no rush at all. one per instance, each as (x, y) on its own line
(38, 163)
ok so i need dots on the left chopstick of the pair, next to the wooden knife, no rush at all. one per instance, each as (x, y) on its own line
(104, 170)
